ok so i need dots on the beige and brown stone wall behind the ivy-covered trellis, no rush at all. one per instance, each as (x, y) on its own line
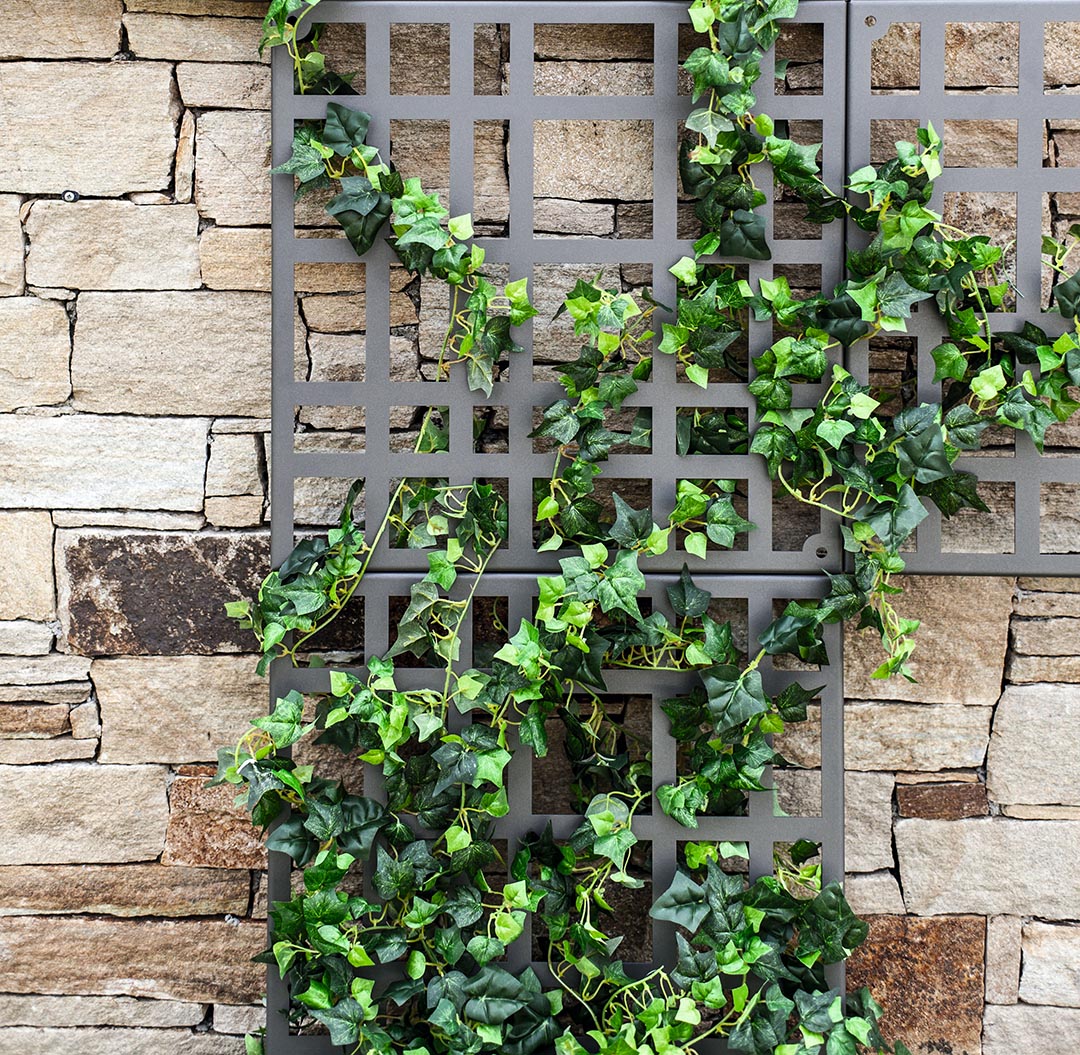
(133, 489)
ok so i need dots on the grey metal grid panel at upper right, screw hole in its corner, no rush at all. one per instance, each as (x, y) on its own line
(1021, 480)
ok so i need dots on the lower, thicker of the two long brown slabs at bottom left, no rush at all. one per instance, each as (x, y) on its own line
(202, 961)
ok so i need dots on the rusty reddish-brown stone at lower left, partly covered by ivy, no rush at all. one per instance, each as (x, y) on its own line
(207, 830)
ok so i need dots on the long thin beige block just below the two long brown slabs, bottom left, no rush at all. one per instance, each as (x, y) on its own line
(97, 1011)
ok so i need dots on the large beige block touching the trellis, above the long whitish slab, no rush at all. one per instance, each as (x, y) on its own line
(173, 354)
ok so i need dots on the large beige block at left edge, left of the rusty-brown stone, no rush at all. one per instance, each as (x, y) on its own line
(83, 815)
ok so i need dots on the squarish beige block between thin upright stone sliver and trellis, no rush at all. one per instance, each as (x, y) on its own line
(233, 167)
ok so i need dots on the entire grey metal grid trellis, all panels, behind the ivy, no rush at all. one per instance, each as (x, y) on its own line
(753, 580)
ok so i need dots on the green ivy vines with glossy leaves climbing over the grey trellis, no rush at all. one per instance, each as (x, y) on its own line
(438, 907)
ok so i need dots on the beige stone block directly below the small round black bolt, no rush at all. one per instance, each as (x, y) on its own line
(113, 246)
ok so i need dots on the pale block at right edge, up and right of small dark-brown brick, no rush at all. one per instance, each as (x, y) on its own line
(1025, 765)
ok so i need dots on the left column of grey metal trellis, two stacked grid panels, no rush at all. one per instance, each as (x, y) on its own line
(760, 577)
